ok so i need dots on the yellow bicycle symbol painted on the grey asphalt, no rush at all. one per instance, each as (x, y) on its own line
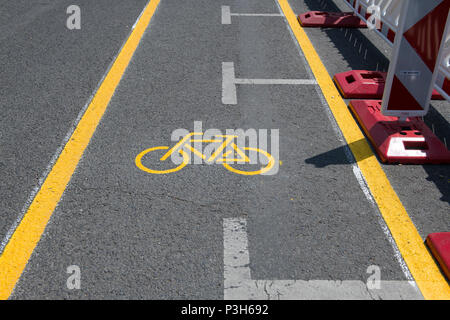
(227, 154)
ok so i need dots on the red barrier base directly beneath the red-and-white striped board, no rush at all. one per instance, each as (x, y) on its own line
(409, 142)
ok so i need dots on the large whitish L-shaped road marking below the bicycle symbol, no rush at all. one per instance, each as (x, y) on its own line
(239, 285)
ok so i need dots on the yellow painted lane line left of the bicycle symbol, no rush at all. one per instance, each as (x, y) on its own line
(28, 233)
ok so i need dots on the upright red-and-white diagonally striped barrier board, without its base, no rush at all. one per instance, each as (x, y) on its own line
(418, 49)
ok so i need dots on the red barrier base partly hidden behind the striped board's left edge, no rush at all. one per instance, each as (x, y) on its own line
(363, 84)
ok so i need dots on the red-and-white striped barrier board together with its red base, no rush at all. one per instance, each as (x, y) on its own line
(418, 48)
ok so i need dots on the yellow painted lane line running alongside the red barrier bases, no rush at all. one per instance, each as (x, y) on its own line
(422, 266)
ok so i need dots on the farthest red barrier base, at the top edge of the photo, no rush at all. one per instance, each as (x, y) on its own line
(330, 20)
